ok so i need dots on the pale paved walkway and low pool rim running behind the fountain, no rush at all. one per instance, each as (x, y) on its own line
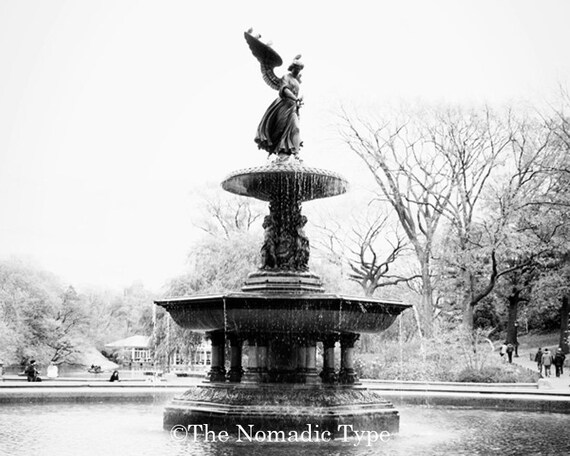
(549, 395)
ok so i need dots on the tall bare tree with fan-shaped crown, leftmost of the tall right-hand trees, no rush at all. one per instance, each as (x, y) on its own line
(412, 177)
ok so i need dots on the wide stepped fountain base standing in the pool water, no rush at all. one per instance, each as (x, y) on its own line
(282, 407)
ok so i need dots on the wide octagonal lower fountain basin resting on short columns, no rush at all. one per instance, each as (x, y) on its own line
(286, 313)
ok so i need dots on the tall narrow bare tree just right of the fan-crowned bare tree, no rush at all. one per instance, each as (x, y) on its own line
(473, 144)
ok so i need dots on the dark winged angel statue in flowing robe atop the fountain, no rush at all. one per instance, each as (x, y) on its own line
(278, 131)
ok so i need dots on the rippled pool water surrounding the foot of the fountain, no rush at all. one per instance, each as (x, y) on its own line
(136, 429)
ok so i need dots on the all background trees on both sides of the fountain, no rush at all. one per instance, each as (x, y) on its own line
(467, 219)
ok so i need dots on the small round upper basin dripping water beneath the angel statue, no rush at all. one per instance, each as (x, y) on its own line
(288, 177)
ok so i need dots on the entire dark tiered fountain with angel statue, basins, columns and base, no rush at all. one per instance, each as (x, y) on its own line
(282, 311)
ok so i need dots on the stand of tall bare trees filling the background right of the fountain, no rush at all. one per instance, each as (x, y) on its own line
(481, 196)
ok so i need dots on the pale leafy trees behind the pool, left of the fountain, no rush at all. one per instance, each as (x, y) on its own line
(44, 319)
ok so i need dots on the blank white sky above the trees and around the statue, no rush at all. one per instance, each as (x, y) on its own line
(112, 111)
